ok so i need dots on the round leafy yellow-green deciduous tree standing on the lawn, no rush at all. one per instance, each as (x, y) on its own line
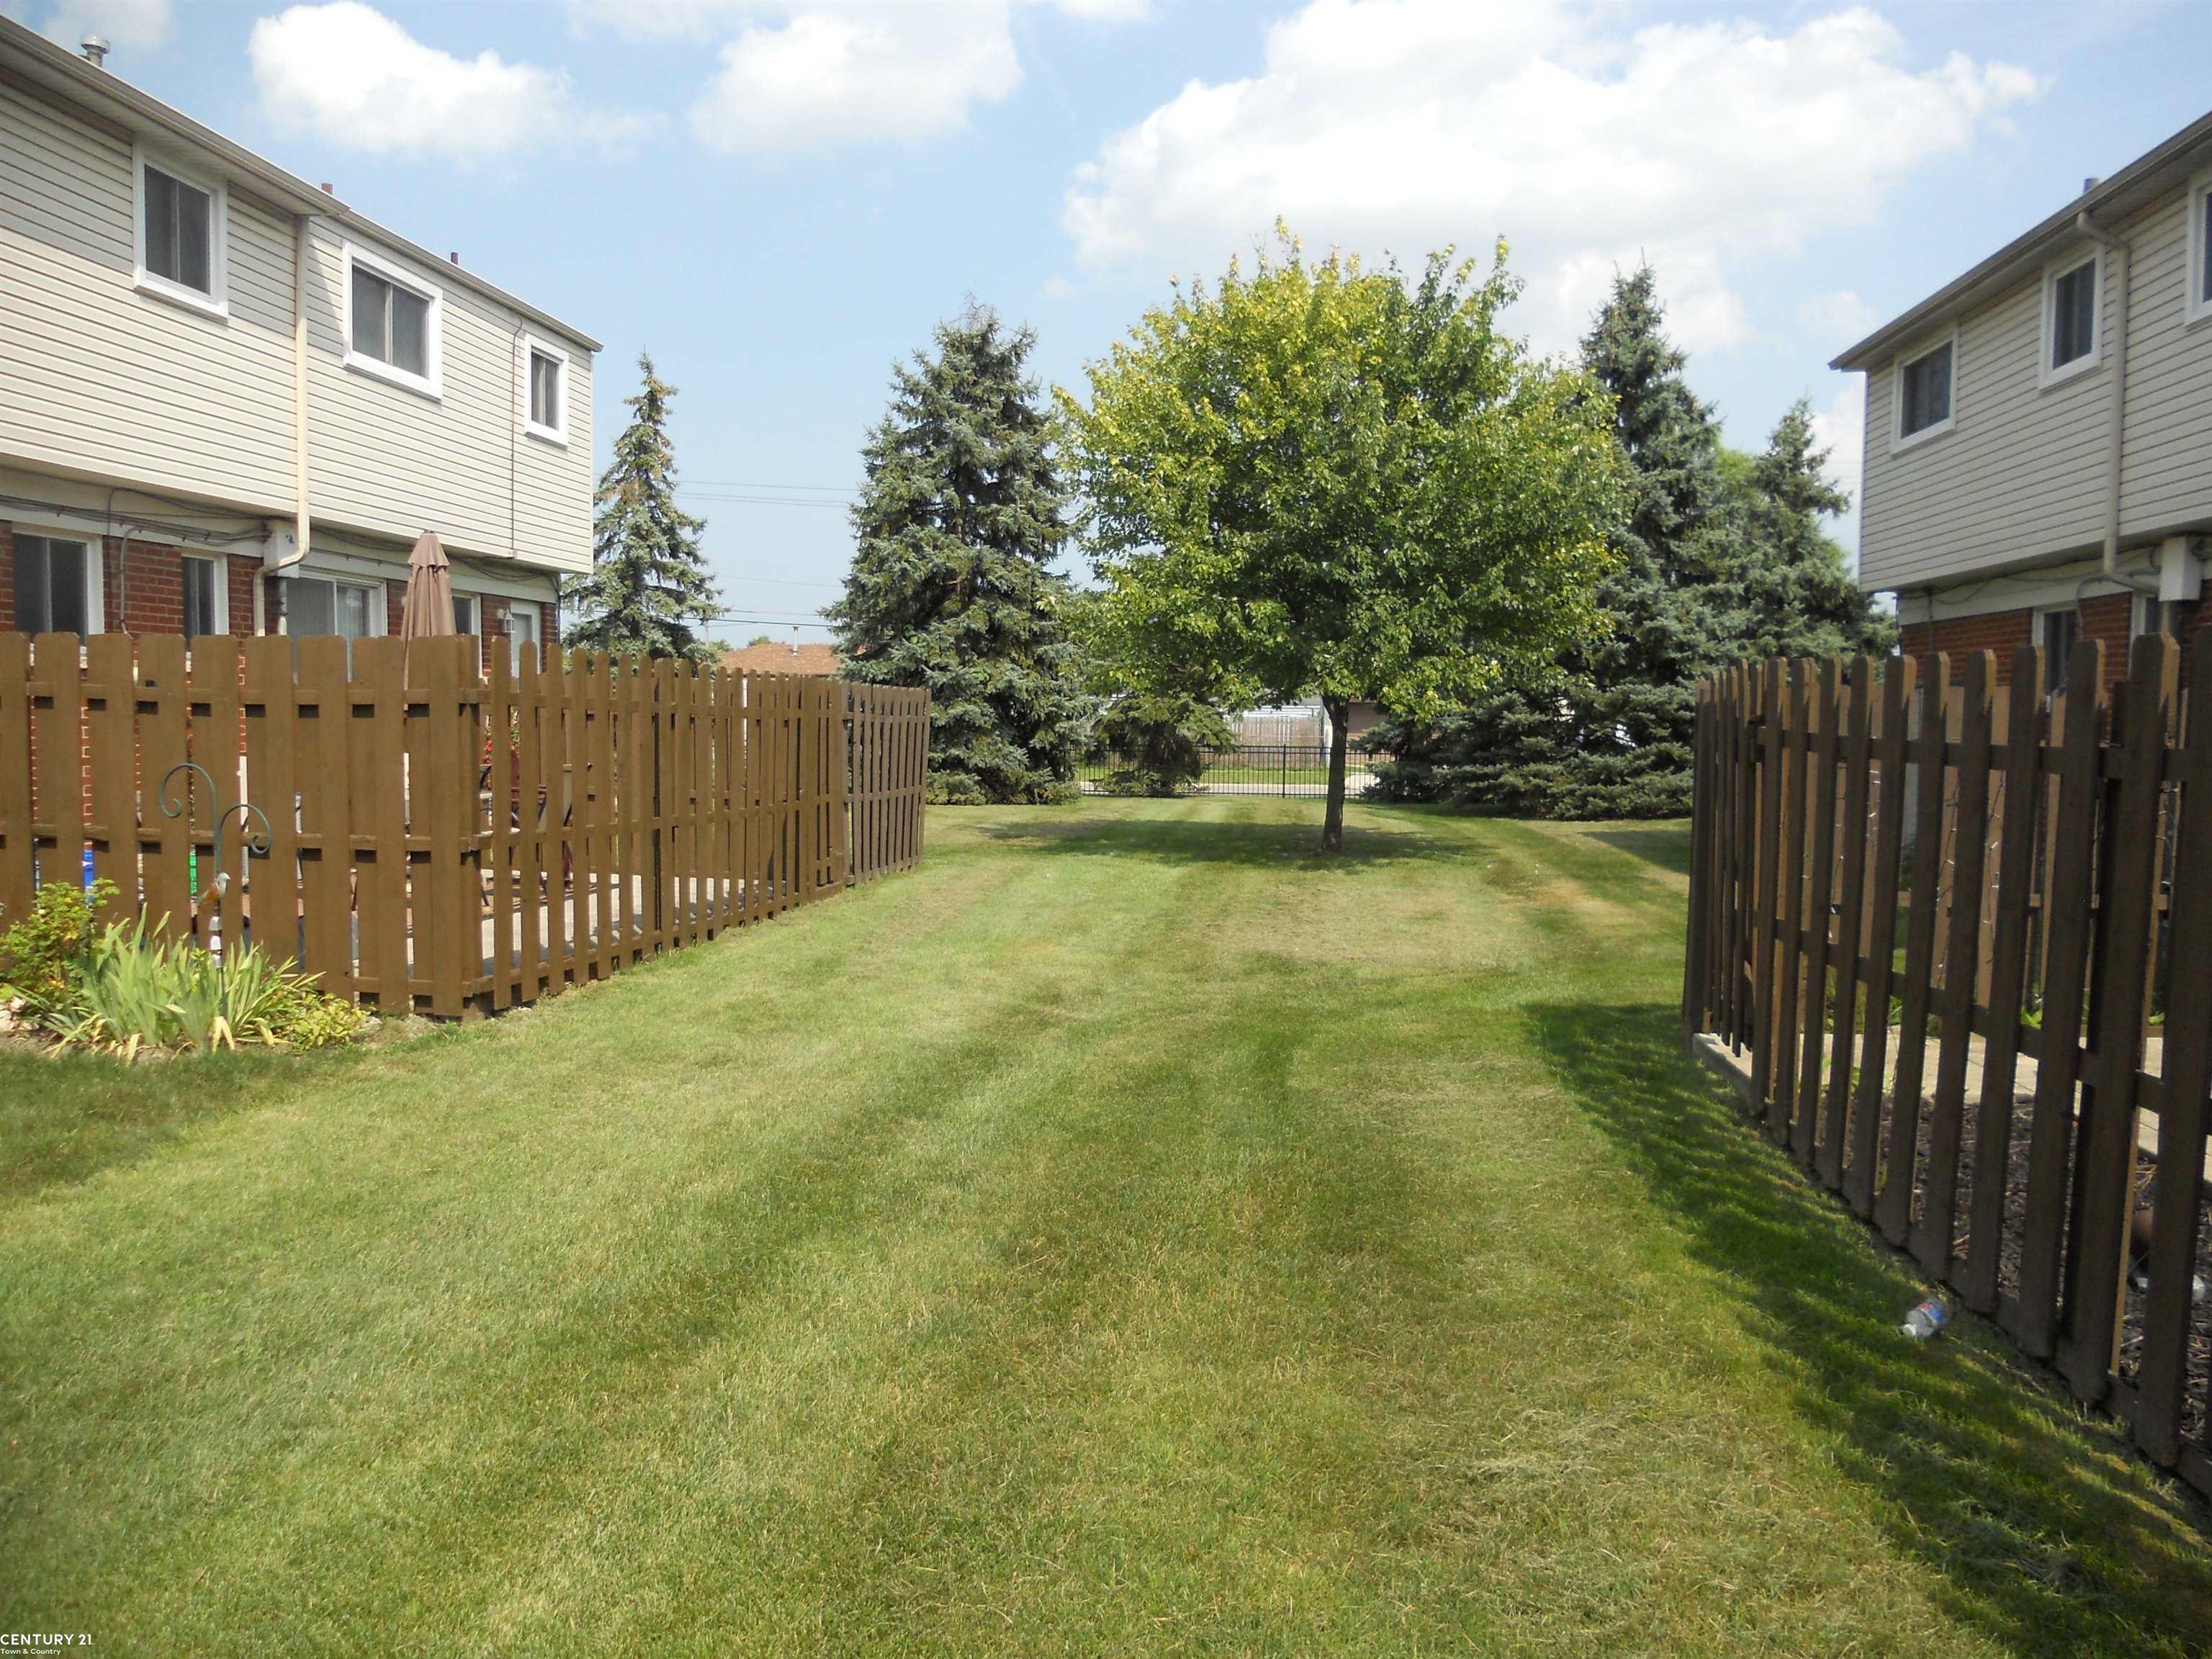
(1333, 481)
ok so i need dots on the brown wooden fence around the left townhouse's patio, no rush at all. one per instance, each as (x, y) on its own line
(444, 839)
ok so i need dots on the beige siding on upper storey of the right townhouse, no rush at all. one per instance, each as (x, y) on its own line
(2023, 477)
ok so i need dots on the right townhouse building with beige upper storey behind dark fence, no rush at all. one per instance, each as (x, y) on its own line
(2041, 430)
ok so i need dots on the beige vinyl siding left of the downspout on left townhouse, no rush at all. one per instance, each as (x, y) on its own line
(103, 379)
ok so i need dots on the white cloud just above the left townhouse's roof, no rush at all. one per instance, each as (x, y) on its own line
(355, 79)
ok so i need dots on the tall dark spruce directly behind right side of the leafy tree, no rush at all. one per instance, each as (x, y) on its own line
(1609, 735)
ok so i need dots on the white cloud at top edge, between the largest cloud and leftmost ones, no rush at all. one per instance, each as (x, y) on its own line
(855, 74)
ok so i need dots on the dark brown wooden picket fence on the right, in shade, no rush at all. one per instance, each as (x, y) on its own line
(2054, 866)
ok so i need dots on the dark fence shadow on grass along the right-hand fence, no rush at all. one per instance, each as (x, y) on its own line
(2047, 1532)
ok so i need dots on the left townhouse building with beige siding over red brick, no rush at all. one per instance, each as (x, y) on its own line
(229, 404)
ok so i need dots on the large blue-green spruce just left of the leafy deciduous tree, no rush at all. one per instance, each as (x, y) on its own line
(952, 581)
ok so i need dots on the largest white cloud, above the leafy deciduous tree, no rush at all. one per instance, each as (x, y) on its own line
(1410, 125)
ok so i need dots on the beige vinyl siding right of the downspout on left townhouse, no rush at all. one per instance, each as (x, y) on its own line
(395, 461)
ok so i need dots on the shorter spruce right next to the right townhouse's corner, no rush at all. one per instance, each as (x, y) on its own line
(1793, 587)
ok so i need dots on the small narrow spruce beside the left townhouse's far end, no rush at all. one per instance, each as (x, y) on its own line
(649, 589)
